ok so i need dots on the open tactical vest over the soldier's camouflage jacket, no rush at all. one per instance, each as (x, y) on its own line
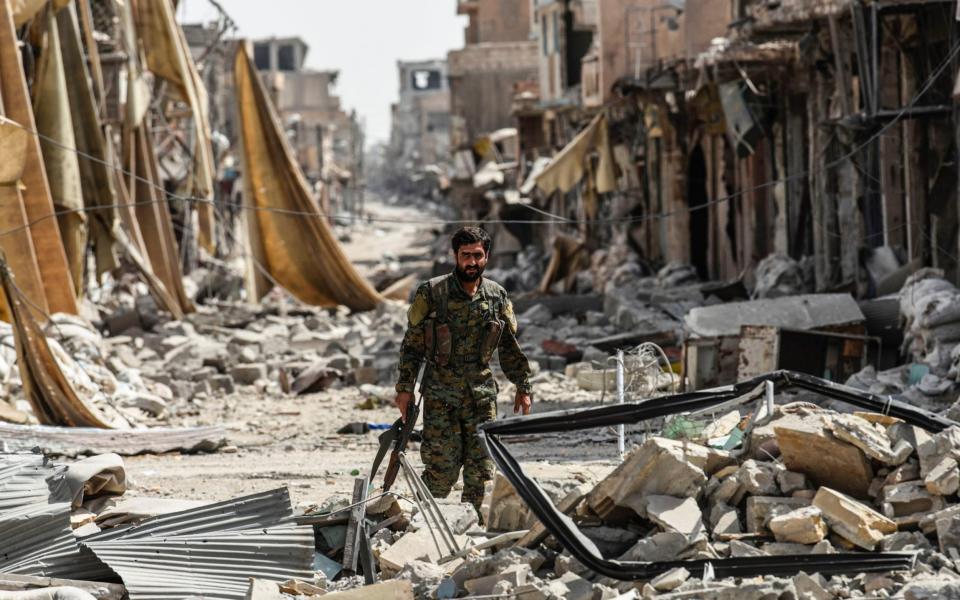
(438, 337)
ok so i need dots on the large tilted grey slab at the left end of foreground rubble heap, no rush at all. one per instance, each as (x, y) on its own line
(658, 467)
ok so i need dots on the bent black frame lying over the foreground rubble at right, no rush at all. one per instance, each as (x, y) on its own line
(568, 534)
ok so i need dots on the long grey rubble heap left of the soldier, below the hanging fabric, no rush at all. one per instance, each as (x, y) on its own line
(151, 368)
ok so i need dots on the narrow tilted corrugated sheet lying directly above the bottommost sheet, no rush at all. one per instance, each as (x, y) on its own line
(264, 509)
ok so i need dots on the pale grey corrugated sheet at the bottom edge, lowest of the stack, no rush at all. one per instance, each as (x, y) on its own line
(217, 565)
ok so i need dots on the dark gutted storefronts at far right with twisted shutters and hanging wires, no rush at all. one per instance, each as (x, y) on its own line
(795, 135)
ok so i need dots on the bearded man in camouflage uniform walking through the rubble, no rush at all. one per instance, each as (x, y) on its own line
(455, 323)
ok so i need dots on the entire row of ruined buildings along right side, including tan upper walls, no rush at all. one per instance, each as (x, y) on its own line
(739, 130)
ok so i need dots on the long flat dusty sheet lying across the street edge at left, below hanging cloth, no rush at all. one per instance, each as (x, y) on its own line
(126, 442)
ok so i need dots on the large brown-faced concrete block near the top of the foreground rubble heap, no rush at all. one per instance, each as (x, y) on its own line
(814, 451)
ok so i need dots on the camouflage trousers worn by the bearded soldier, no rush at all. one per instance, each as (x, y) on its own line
(450, 441)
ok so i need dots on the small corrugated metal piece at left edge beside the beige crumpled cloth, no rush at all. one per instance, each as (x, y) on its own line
(27, 479)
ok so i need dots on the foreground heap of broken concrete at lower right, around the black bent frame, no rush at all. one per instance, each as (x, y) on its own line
(803, 480)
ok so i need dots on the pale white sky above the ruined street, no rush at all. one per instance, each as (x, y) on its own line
(363, 39)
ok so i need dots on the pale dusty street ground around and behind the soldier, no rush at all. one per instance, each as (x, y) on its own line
(287, 440)
